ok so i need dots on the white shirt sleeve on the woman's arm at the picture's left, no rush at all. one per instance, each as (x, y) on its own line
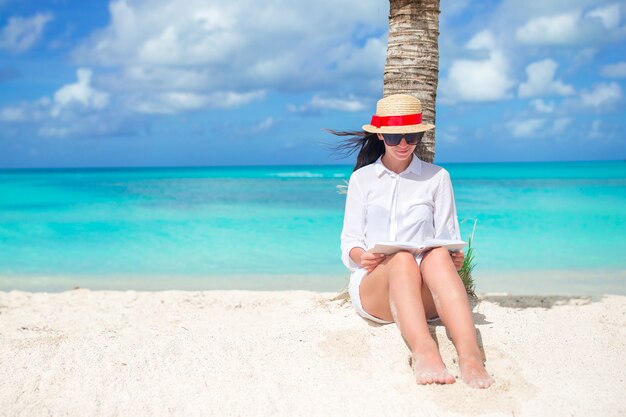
(353, 233)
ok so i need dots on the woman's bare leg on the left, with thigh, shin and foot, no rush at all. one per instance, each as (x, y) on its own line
(395, 291)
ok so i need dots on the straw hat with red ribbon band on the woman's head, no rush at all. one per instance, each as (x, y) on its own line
(398, 113)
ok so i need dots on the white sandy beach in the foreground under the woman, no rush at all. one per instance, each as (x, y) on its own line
(231, 353)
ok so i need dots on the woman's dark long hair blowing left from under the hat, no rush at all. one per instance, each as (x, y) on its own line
(368, 145)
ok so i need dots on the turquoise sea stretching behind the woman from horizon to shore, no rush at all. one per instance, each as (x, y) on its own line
(542, 228)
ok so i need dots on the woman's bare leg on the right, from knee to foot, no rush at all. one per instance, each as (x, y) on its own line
(450, 298)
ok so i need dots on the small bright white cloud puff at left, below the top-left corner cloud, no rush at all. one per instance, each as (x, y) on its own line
(79, 93)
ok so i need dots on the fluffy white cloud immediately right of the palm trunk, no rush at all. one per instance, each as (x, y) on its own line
(478, 80)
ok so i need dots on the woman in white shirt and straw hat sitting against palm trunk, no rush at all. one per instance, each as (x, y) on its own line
(394, 196)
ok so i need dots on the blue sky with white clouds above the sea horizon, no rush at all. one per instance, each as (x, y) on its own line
(207, 82)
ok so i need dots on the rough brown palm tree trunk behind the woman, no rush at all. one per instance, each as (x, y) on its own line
(412, 65)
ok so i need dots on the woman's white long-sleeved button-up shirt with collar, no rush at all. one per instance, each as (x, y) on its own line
(412, 206)
